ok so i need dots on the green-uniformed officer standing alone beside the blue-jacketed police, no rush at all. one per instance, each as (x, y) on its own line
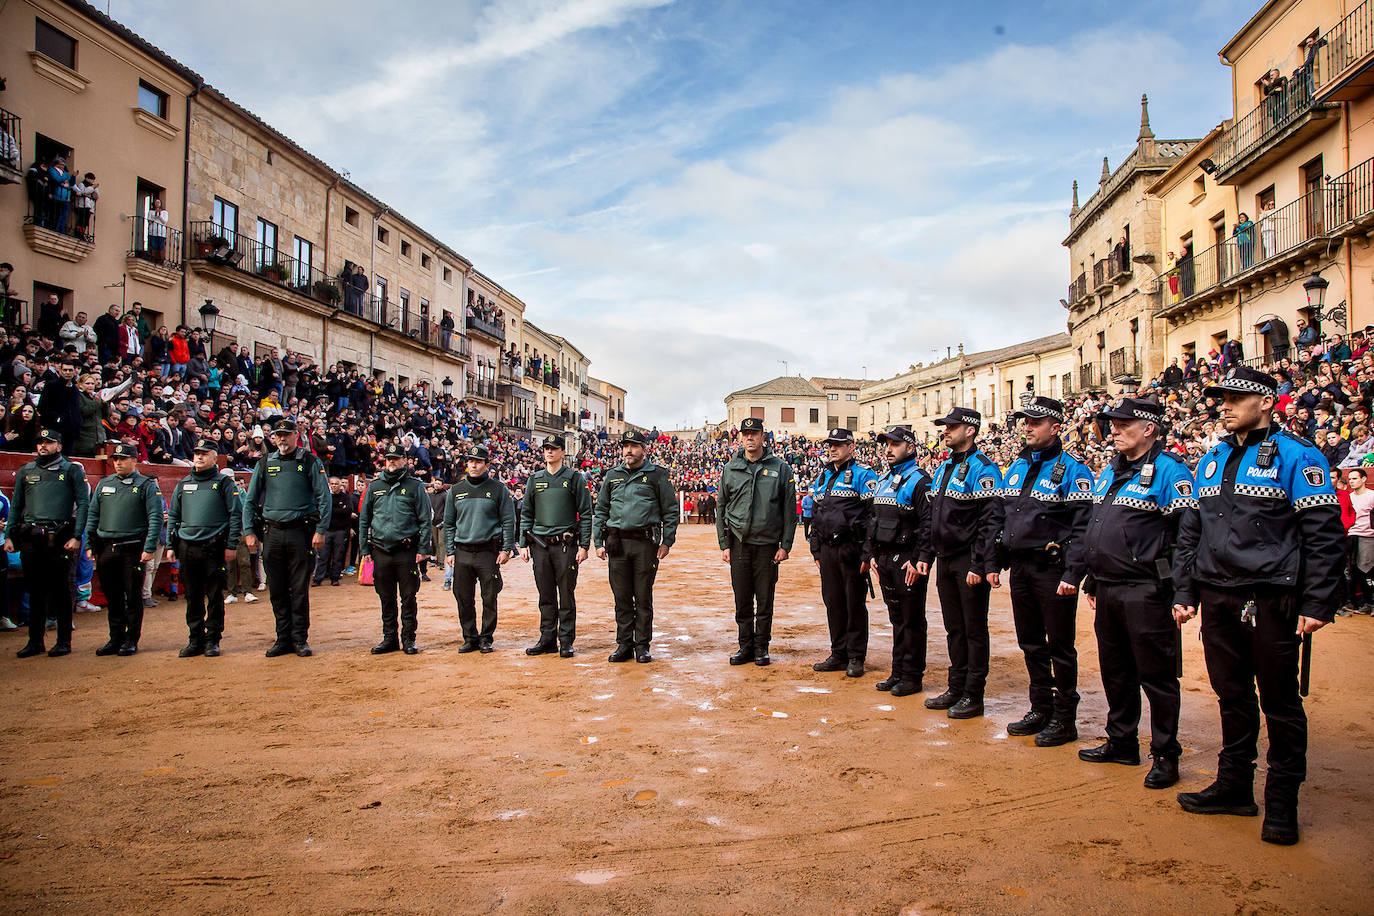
(756, 525)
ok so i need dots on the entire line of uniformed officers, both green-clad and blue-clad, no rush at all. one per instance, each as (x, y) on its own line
(1255, 542)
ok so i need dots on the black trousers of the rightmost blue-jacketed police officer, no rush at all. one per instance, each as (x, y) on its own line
(1241, 657)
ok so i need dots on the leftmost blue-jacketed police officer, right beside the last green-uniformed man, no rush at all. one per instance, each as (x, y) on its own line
(839, 531)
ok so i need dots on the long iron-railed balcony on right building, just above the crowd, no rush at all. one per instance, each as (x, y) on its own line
(1276, 240)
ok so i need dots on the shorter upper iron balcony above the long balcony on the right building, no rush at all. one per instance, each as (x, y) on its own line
(1288, 113)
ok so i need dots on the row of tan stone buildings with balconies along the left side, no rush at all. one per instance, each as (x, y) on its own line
(289, 252)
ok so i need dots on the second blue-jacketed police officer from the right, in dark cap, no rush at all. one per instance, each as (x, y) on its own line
(1140, 502)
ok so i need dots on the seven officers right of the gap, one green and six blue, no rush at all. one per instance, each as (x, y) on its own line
(1254, 540)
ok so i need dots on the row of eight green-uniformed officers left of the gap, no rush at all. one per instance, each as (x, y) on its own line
(286, 510)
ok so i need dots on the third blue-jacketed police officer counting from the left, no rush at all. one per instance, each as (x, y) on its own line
(965, 520)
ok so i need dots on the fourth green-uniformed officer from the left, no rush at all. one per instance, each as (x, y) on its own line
(288, 507)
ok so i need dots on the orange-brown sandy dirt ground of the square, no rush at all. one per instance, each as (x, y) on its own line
(504, 783)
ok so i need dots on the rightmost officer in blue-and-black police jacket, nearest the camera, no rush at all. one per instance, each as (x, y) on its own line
(1268, 550)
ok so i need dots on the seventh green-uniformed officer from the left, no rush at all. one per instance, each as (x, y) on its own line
(556, 531)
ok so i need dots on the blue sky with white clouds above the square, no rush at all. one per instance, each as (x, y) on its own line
(696, 192)
